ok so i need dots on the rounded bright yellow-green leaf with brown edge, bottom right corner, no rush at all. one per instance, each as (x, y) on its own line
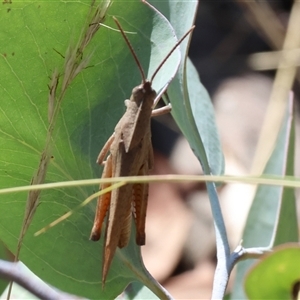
(275, 276)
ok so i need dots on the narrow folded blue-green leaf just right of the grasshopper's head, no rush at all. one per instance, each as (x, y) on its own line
(192, 108)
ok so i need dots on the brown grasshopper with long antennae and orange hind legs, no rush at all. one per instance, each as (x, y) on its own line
(131, 154)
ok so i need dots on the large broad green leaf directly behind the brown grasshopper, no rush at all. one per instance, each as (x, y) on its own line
(39, 37)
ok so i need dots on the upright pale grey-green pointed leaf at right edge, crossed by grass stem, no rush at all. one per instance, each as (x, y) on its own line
(272, 218)
